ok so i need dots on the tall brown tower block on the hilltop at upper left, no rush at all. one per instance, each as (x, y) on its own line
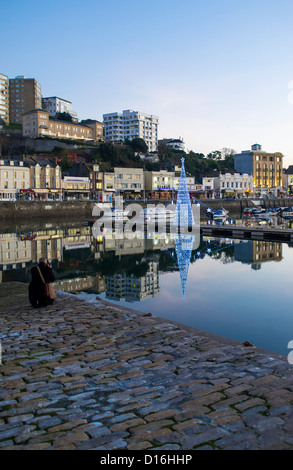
(25, 94)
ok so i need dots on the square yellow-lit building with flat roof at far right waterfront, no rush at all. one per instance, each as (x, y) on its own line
(265, 168)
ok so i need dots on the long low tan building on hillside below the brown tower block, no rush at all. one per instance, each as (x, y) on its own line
(37, 123)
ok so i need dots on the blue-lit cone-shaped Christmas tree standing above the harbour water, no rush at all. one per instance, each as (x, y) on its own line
(183, 214)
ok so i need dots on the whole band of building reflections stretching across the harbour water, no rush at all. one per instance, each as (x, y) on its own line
(77, 257)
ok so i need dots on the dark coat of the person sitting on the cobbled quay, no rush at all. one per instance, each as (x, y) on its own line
(37, 287)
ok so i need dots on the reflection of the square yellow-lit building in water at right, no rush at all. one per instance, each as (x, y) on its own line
(256, 252)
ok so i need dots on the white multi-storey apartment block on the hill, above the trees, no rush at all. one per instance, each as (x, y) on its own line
(130, 125)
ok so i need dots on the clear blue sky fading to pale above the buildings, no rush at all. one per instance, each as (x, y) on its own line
(218, 73)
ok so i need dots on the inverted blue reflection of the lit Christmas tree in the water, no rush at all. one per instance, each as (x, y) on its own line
(183, 246)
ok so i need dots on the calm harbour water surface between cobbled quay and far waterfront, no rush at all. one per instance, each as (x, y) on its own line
(238, 289)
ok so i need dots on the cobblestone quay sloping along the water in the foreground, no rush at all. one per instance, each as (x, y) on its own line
(90, 375)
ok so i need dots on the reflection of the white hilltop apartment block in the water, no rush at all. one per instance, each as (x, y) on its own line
(131, 288)
